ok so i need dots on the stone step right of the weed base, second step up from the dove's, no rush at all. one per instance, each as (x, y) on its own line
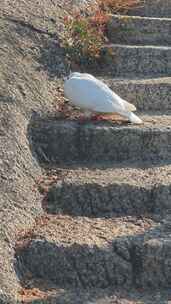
(135, 60)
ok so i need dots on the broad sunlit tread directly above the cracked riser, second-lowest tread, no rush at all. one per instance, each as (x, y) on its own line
(67, 230)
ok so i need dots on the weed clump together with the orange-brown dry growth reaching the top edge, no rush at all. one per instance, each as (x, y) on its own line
(85, 32)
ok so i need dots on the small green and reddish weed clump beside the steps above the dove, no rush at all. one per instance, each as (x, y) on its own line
(84, 37)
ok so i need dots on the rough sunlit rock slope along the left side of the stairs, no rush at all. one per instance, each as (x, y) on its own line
(25, 86)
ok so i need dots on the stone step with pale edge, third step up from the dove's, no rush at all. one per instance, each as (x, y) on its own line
(139, 30)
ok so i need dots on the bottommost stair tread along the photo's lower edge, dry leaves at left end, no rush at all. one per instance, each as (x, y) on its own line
(47, 292)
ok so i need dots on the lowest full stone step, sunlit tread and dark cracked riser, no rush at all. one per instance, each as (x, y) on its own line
(87, 253)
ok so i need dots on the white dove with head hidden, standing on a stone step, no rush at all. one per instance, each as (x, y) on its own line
(93, 96)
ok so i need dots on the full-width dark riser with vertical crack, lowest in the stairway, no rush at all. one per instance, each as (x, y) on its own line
(125, 262)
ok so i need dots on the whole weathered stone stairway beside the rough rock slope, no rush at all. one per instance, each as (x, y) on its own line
(106, 233)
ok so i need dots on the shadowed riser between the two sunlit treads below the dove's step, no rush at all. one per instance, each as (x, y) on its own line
(95, 200)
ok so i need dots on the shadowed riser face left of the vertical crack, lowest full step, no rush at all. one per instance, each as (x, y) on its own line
(77, 266)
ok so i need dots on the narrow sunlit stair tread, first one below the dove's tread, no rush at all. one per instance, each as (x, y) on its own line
(128, 173)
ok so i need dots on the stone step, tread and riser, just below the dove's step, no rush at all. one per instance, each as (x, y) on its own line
(107, 192)
